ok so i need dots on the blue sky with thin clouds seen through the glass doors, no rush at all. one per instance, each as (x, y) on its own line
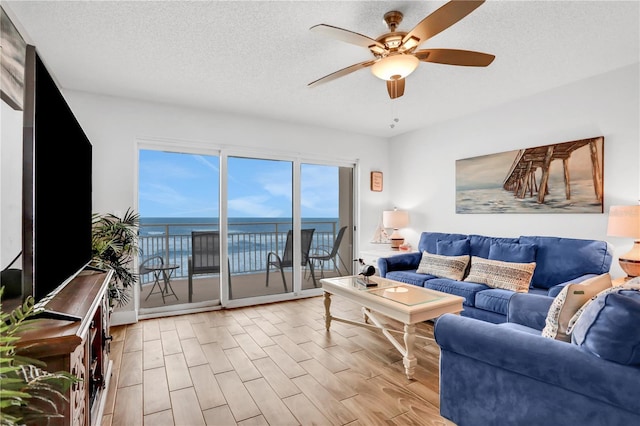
(186, 185)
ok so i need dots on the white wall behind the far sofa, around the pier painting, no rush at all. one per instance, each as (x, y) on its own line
(423, 162)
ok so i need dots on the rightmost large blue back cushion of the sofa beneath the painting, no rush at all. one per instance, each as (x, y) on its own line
(563, 259)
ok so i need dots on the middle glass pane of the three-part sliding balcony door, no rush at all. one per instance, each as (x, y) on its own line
(261, 244)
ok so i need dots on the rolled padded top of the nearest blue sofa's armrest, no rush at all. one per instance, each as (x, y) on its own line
(551, 362)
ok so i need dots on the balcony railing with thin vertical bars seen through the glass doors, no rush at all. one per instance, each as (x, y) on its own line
(248, 247)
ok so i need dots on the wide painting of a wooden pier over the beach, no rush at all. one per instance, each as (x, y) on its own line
(565, 177)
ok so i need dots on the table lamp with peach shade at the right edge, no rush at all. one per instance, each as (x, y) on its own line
(624, 221)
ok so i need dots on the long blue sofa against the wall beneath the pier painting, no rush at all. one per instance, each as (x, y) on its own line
(559, 261)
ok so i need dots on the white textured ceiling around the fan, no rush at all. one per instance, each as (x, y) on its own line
(257, 57)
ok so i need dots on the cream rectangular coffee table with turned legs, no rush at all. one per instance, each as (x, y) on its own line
(405, 303)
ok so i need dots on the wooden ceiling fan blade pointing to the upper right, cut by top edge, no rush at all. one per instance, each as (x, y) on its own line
(440, 20)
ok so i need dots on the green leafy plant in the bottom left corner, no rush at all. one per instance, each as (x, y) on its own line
(27, 390)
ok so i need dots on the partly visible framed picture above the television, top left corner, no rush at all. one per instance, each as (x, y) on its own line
(12, 64)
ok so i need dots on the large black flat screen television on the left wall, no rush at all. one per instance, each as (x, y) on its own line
(57, 211)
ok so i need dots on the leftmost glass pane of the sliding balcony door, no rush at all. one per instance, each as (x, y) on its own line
(178, 202)
